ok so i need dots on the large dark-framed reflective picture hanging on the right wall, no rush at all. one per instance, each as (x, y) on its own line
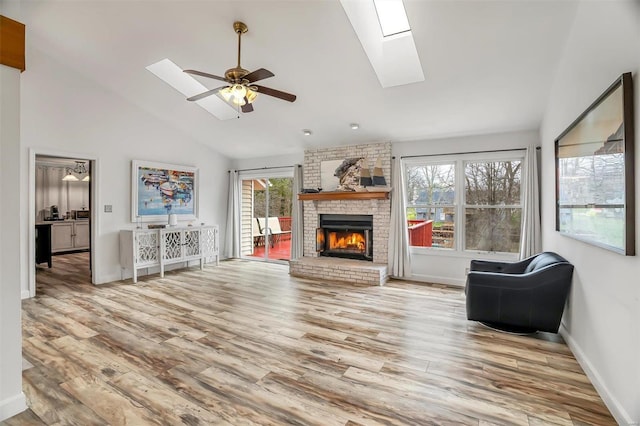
(595, 199)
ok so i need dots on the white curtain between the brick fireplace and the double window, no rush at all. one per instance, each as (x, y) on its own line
(399, 253)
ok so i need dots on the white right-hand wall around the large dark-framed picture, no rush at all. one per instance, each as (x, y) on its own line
(602, 321)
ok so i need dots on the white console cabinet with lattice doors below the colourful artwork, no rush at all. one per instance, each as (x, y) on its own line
(148, 248)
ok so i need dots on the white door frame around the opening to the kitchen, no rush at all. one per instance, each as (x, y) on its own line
(93, 207)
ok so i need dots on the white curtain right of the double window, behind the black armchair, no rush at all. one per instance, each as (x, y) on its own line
(530, 239)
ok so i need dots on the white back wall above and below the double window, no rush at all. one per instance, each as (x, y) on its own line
(444, 266)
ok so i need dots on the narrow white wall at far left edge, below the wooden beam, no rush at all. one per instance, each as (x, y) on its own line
(12, 400)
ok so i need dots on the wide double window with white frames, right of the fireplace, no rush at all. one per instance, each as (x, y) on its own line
(471, 203)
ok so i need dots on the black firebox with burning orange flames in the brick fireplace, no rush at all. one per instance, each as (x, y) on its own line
(348, 236)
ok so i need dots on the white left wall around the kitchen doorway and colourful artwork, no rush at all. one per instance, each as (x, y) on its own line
(66, 114)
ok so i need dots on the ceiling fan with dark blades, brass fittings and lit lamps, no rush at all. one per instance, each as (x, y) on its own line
(240, 89)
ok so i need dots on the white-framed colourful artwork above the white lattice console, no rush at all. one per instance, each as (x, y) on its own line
(159, 189)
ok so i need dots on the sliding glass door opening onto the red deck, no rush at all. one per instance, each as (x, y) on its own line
(266, 201)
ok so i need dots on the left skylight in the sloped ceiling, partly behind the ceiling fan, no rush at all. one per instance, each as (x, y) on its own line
(173, 75)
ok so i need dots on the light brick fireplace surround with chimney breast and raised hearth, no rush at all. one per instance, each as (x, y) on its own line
(372, 270)
